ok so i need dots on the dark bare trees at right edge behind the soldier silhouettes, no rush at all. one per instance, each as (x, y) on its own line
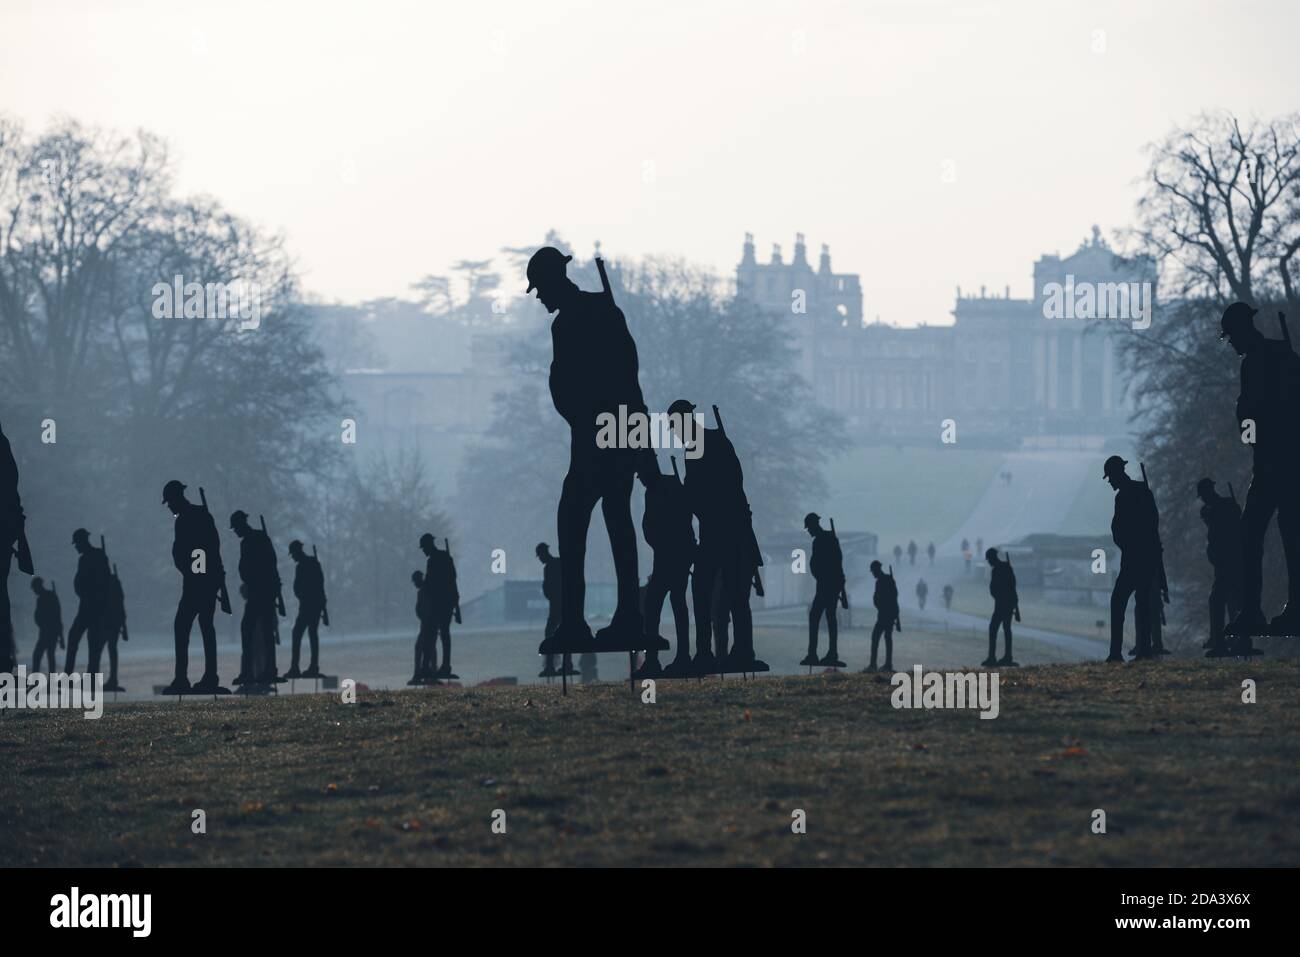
(1221, 215)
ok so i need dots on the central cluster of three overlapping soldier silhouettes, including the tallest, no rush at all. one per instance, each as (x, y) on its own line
(595, 371)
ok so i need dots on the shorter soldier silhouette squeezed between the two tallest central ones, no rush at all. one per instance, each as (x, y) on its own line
(669, 531)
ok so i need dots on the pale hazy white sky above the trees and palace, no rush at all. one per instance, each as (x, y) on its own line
(388, 140)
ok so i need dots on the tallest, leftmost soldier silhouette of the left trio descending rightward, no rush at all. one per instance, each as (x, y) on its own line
(197, 555)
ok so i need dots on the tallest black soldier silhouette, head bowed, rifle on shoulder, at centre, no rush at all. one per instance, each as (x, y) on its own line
(593, 371)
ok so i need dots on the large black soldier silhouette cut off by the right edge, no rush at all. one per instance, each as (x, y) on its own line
(1269, 402)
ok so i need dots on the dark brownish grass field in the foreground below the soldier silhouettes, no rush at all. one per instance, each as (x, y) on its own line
(708, 776)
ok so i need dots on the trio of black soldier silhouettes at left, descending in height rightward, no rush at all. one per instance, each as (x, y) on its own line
(197, 555)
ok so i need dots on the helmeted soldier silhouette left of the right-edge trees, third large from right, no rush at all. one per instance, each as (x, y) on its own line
(1136, 530)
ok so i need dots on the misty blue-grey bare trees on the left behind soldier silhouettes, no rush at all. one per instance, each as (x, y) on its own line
(105, 402)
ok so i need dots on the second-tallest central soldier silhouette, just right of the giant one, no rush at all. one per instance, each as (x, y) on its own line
(716, 488)
